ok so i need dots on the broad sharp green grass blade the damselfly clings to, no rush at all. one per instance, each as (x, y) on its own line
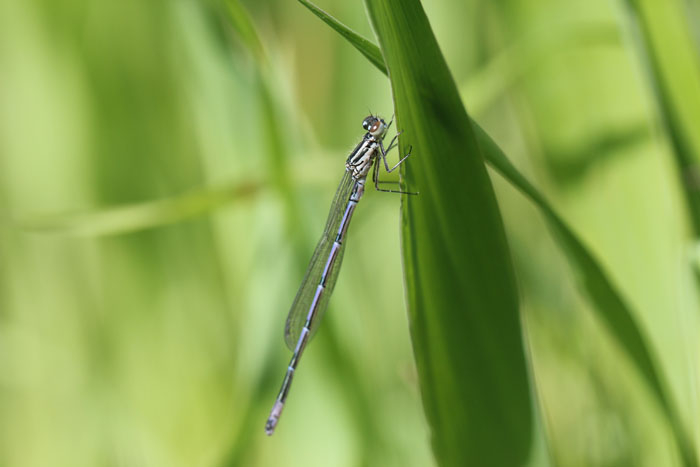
(462, 297)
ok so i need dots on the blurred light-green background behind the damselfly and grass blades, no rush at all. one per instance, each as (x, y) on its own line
(164, 178)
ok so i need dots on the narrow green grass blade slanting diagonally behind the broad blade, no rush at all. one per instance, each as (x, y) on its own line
(590, 275)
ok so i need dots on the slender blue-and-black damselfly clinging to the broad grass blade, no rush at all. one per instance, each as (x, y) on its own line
(312, 298)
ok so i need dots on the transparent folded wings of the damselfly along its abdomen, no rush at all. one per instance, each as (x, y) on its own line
(302, 302)
